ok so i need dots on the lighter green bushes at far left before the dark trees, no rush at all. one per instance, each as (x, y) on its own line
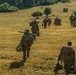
(5, 7)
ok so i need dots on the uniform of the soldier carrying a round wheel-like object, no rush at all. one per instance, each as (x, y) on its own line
(26, 43)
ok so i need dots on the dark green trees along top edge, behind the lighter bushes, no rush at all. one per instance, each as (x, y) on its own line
(30, 3)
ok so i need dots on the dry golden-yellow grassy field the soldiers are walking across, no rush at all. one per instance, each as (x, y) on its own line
(44, 51)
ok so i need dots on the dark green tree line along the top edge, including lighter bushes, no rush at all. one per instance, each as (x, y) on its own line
(20, 4)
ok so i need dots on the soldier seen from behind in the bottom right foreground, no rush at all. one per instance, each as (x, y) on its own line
(67, 55)
